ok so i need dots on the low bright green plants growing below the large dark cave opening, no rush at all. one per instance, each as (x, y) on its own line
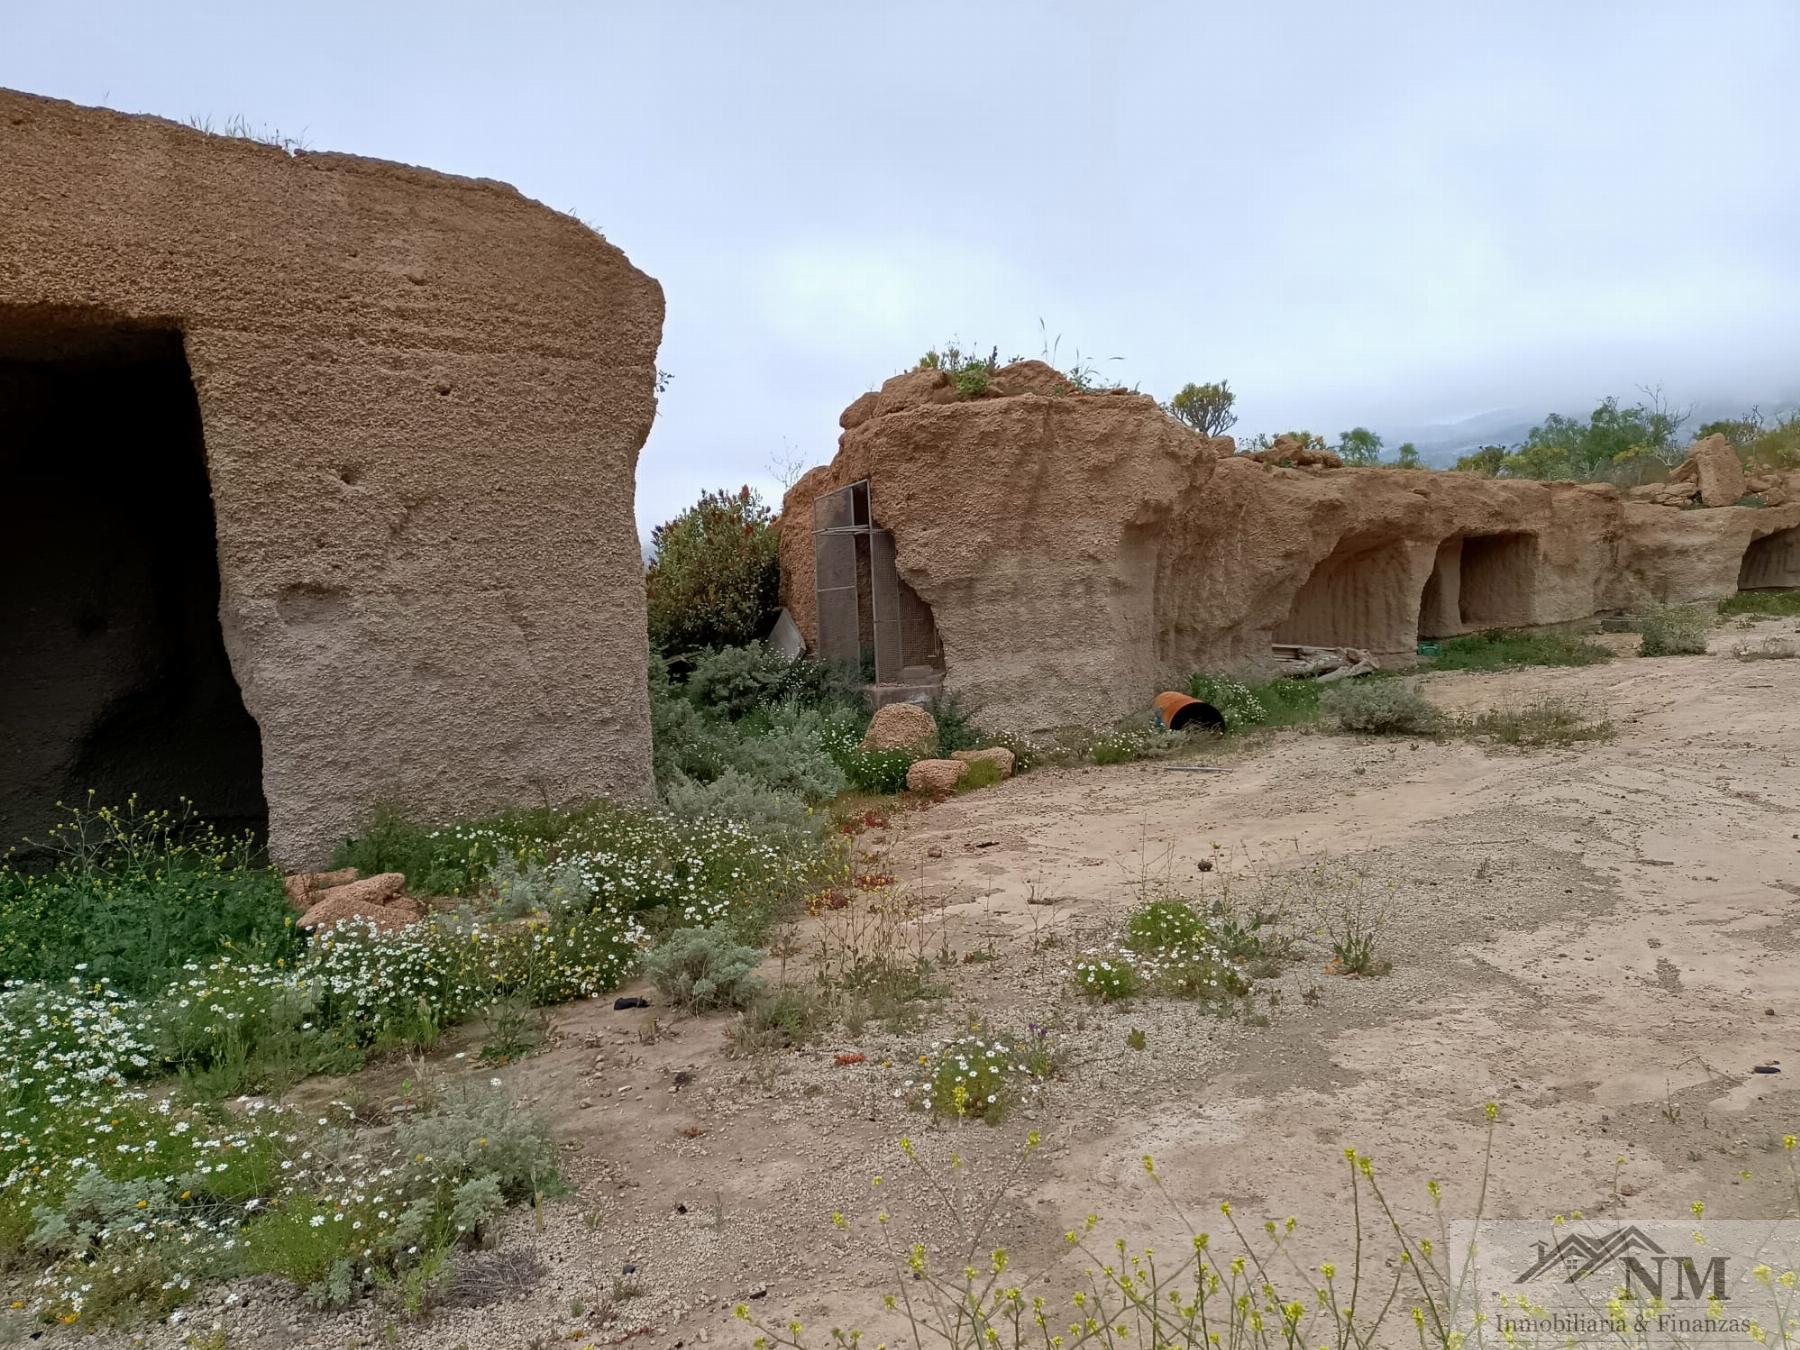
(130, 895)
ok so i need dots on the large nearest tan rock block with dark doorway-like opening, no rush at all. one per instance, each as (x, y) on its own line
(417, 411)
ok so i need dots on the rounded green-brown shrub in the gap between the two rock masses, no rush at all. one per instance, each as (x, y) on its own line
(717, 573)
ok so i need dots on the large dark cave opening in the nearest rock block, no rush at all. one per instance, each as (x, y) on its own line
(114, 676)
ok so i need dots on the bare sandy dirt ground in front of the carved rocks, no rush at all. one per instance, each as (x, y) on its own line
(1599, 939)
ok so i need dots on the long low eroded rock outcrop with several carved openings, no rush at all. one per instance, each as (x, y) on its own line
(1081, 552)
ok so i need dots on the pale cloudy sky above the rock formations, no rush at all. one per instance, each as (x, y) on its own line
(1390, 215)
